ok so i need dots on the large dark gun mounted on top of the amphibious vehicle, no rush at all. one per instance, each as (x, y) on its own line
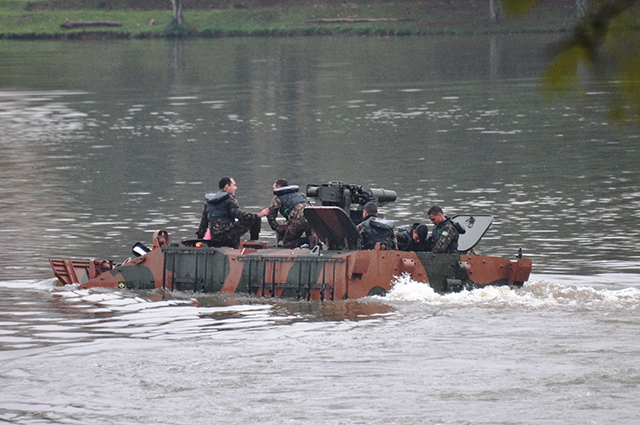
(349, 197)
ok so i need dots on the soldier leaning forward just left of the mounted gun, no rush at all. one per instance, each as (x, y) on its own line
(291, 204)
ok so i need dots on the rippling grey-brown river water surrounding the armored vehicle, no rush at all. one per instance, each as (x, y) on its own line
(104, 142)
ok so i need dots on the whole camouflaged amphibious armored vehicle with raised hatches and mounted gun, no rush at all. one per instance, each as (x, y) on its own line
(334, 269)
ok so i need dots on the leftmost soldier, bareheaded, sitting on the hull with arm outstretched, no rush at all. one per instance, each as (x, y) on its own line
(224, 218)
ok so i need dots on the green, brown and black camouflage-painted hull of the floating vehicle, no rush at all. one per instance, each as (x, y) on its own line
(256, 269)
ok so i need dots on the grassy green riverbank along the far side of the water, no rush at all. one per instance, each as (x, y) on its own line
(42, 19)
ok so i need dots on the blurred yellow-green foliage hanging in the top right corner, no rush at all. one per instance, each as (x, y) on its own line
(603, 49)
